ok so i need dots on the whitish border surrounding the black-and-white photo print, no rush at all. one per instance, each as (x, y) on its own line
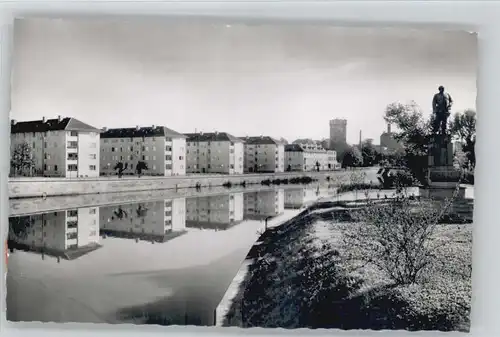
(480, 16)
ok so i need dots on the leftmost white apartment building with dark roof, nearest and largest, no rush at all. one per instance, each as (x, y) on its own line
(61, 147)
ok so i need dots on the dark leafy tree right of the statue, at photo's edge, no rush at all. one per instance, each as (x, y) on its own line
(463, 127)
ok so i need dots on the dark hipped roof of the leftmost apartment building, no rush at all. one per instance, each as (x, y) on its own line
(63, 124)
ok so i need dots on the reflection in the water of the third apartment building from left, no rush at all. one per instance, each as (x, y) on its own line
(215, 212)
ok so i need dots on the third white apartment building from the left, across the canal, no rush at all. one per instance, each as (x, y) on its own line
(217, 152)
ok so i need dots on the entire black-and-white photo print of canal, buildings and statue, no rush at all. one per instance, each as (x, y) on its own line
(250, 175)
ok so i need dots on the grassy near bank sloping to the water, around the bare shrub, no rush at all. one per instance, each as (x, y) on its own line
(293, 278)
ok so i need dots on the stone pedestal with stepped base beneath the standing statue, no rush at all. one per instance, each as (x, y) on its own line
(442, 176)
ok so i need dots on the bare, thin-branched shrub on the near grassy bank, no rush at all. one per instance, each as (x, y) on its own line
(396, 237)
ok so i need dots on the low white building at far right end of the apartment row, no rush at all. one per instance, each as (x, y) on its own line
(309, 157)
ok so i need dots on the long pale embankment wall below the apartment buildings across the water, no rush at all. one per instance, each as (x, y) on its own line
(52, 187)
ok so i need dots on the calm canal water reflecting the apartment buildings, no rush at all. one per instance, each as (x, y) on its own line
(150, 262)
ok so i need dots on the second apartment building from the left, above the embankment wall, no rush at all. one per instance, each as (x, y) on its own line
(161, 149)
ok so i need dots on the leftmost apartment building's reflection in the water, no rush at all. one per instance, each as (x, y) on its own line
(67, 234)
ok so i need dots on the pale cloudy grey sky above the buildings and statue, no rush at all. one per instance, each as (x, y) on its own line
(280, 80)
